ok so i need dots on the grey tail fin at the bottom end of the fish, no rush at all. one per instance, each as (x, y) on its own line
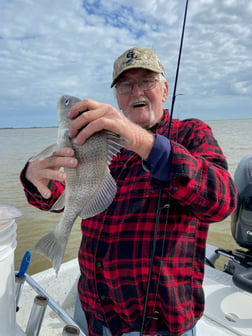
(52, 248)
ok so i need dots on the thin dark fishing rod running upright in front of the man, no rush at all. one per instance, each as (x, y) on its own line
(160, 192)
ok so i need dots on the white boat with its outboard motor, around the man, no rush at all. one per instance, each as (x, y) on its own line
(228, 293)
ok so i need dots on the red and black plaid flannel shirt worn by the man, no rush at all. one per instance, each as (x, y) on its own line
(117, 244)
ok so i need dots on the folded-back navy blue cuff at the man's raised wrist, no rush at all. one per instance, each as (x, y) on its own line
(158, 163)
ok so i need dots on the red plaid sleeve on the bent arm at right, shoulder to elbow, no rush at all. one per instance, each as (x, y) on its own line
(199, 179)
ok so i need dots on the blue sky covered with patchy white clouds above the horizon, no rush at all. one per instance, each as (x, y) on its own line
(52, 47)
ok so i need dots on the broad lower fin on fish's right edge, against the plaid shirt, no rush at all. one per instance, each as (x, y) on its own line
(102, 200)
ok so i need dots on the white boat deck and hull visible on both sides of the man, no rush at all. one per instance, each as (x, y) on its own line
(228, 309)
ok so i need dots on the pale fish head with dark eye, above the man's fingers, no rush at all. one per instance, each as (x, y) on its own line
(64, 104)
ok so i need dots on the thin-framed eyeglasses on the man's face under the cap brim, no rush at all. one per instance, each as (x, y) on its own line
(145, 83)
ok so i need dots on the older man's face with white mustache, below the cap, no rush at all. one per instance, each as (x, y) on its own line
(144, 107)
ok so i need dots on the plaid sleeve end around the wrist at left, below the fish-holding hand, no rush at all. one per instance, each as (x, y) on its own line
(35, 198)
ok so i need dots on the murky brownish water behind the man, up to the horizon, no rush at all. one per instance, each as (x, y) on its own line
(18, 145)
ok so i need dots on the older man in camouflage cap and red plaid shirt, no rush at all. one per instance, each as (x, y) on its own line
(180, 183)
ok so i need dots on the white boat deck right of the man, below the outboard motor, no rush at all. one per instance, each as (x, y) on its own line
(228, 309)
